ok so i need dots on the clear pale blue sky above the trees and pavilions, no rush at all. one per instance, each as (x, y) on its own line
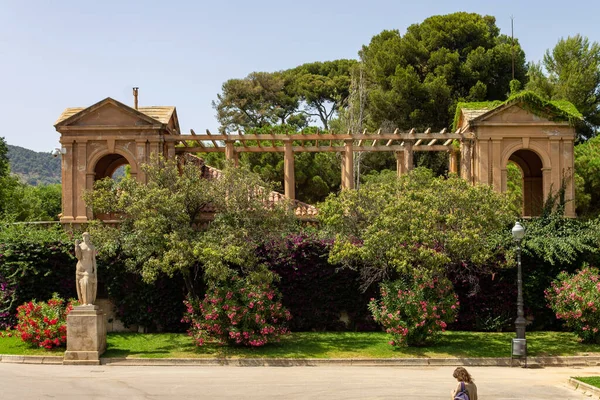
(58, 54)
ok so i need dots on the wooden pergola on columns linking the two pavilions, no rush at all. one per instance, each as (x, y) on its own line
(403, 144)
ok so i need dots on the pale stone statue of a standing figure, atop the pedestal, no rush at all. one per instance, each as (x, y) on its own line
(85, 276)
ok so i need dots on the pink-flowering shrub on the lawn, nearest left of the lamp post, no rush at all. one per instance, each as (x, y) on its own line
(415, 313)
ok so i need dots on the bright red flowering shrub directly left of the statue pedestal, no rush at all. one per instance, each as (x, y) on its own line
(44, 324)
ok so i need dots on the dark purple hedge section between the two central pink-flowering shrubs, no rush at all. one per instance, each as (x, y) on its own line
(316, 292)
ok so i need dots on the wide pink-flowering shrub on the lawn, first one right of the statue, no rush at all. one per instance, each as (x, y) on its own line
(237, 312)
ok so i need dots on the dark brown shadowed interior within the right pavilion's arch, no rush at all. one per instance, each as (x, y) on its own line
(530, 165)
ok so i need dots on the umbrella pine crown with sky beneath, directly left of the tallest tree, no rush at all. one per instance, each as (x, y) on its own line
(323, 87)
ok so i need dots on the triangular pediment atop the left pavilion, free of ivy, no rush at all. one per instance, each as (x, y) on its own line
(107, 112)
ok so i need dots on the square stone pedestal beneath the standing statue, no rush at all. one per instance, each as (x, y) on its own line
(86, 336)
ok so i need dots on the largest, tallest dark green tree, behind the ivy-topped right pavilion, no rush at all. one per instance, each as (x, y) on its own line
(417, 79)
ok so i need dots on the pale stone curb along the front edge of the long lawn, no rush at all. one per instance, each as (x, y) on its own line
(530, 362)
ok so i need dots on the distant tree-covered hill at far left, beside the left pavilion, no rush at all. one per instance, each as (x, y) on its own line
(33, 167)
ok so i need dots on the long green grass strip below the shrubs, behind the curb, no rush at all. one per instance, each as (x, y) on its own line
(328, 345)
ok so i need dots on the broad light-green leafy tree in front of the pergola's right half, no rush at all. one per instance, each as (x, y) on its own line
(395, 225)
